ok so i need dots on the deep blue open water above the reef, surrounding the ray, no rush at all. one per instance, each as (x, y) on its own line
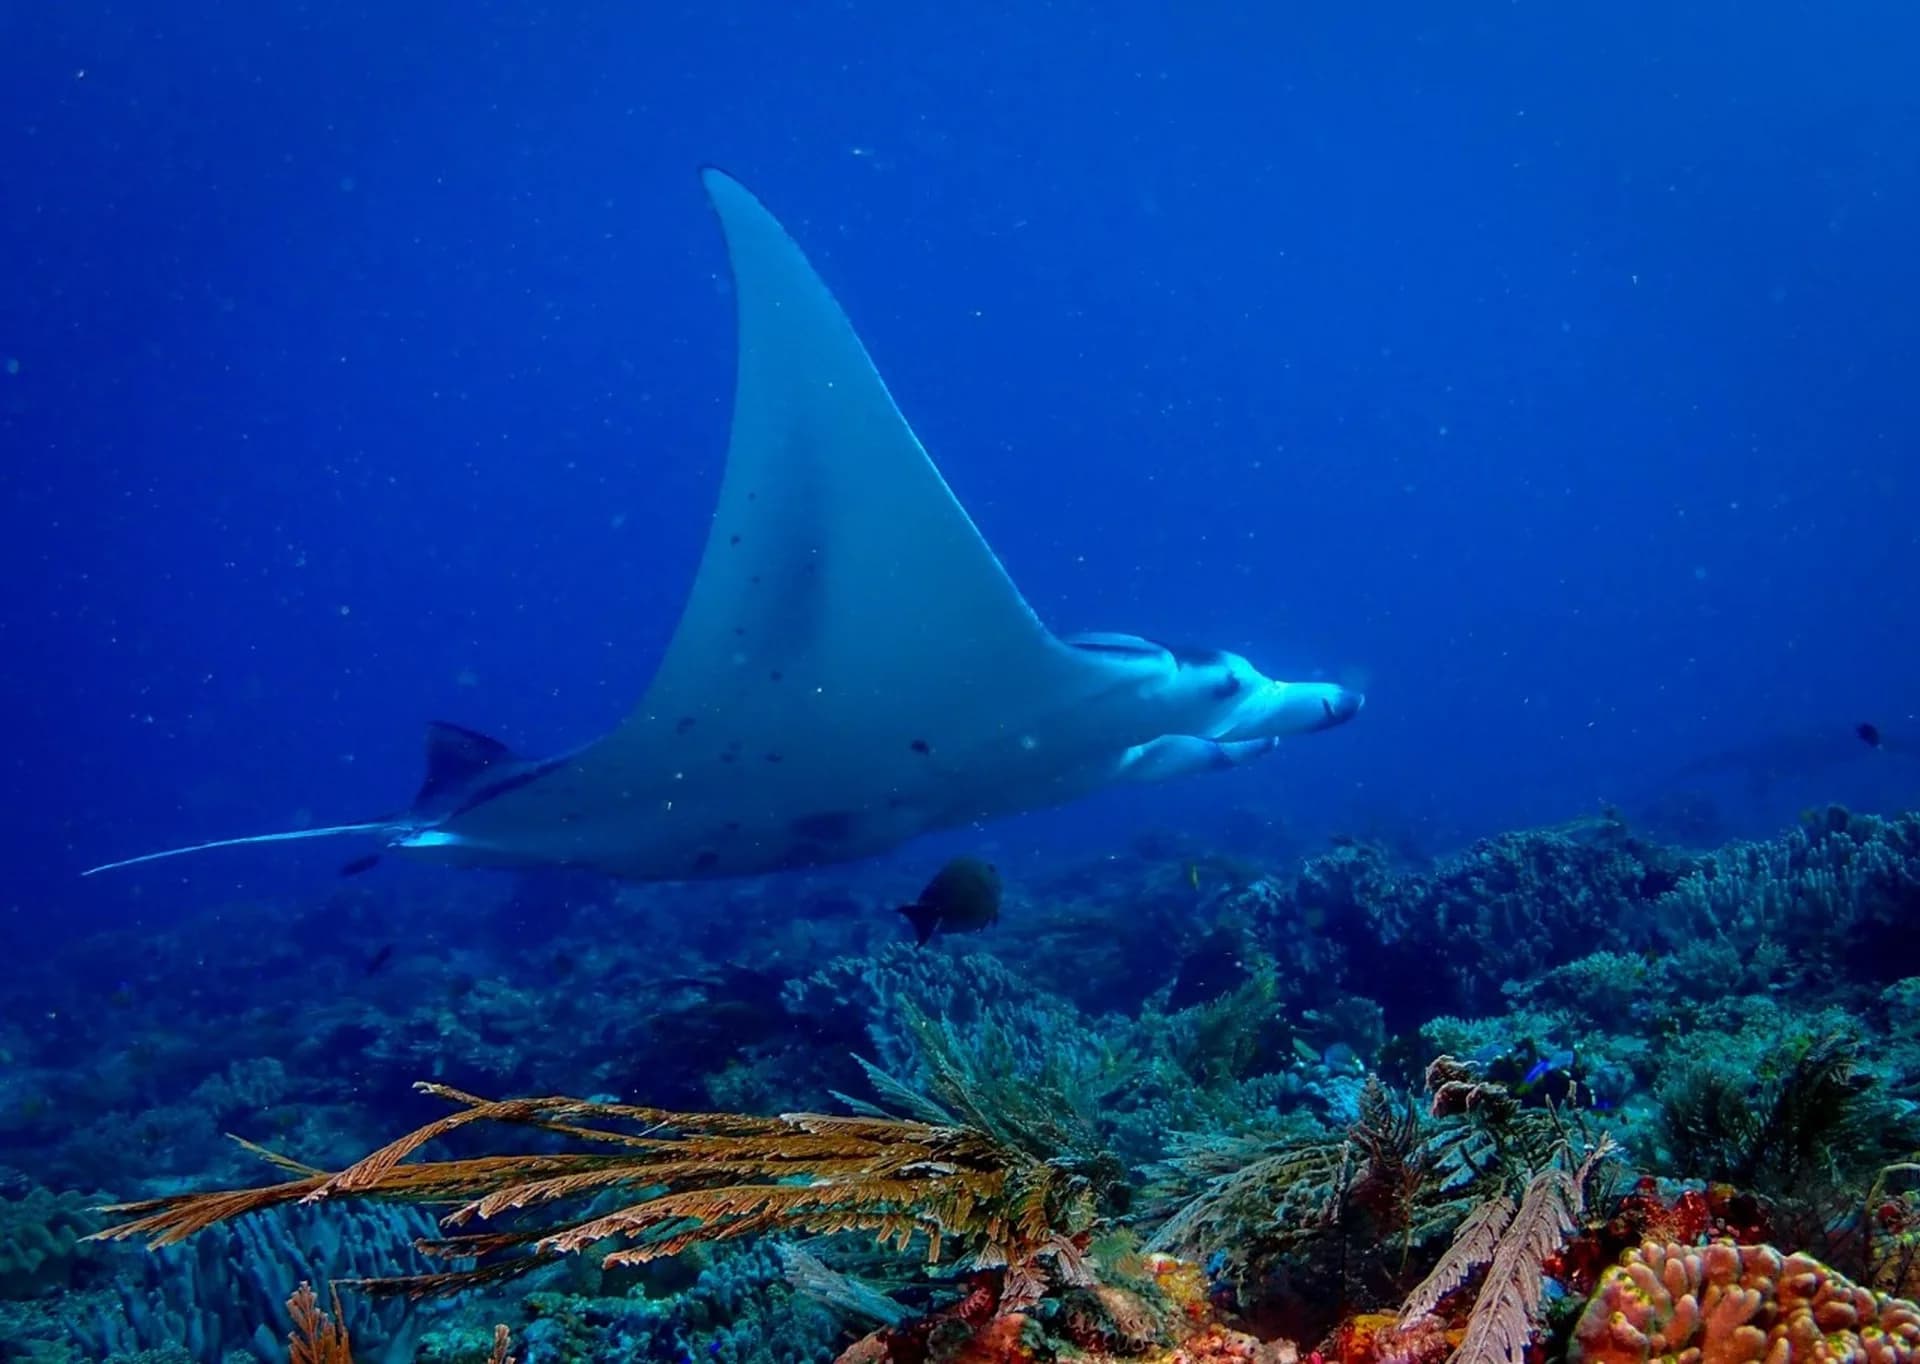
(1548, 372)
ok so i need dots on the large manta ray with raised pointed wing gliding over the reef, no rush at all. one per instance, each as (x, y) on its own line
(852, 670)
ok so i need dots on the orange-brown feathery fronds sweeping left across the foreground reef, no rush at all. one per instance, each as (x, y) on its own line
(696, 1179)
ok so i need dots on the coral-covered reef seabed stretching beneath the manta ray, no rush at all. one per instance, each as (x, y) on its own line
(1207, 1056)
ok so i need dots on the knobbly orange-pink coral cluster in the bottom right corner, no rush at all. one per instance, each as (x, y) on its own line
(1739, 1305)
